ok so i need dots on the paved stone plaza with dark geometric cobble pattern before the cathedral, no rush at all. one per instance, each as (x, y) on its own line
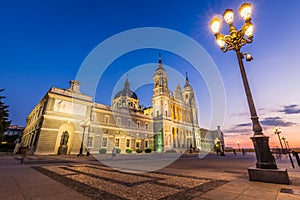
(72, 177)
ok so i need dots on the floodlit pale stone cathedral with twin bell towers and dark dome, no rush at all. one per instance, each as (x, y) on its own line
(66, 121)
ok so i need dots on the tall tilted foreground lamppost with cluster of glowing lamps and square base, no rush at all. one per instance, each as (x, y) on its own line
(235, 40)
